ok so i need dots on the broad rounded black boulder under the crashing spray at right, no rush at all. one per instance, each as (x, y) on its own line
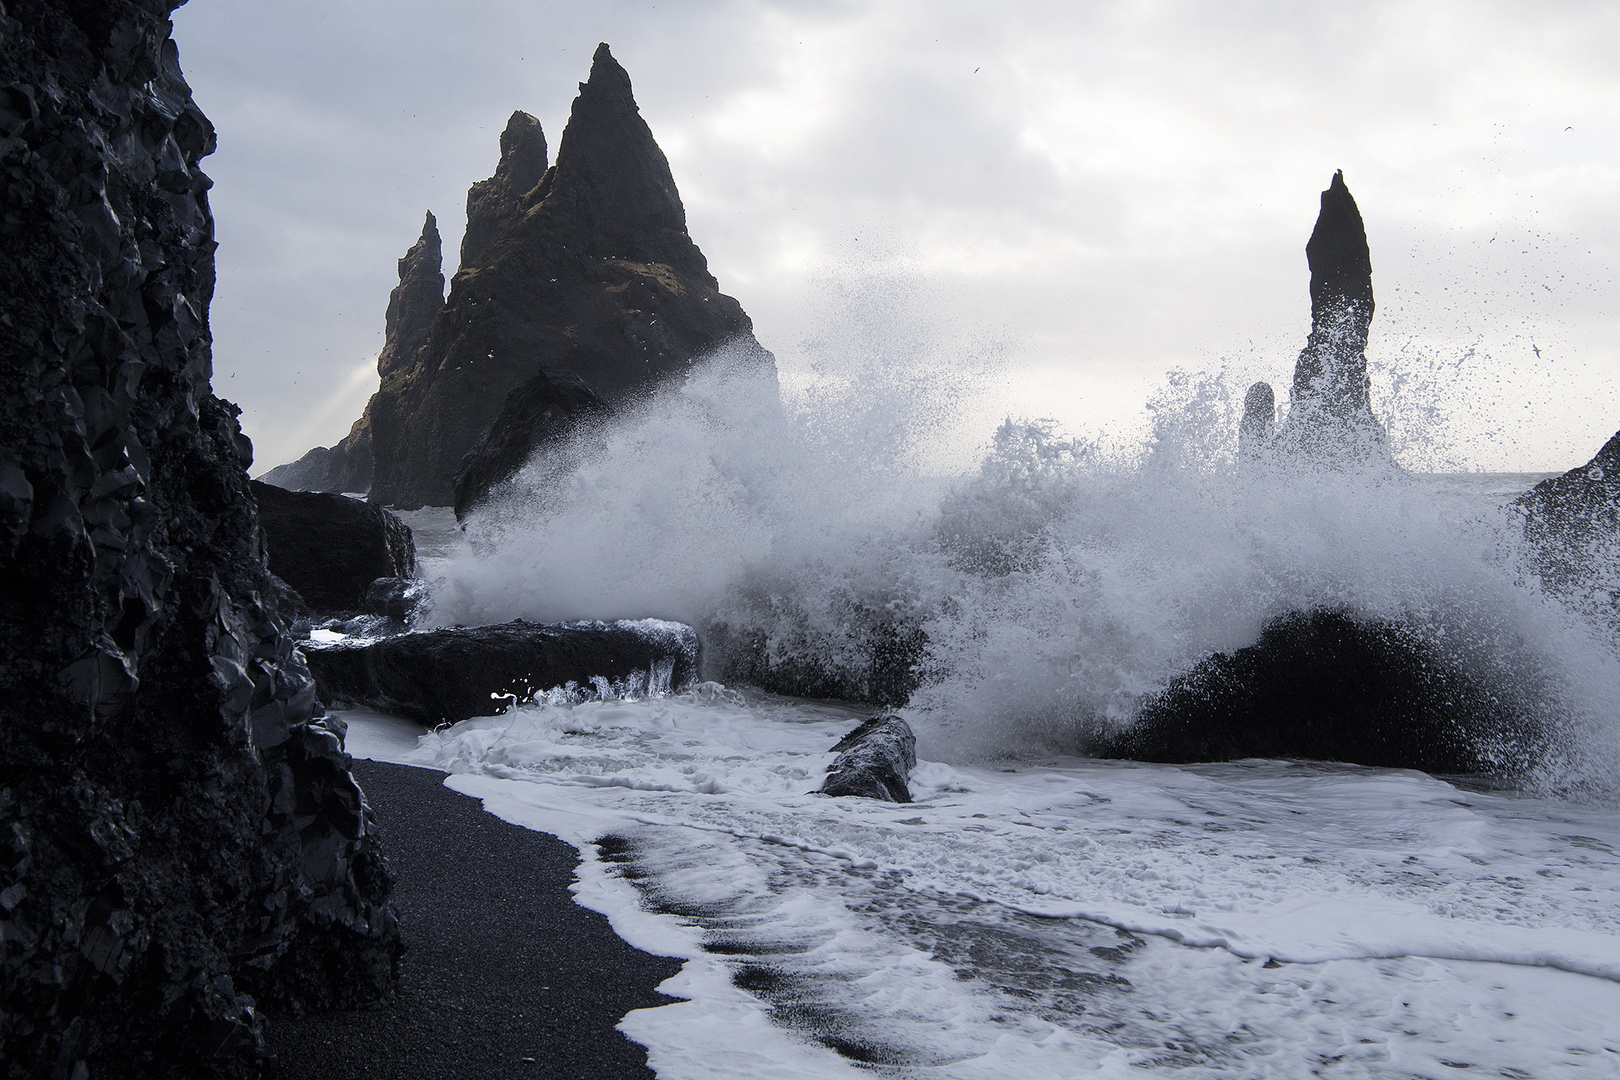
(1334, 687)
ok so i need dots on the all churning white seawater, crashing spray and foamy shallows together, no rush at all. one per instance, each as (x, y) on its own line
(1036, 912)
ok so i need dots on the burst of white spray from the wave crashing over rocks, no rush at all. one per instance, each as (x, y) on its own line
(1057, 587)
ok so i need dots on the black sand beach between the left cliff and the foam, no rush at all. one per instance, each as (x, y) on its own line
(505, 976)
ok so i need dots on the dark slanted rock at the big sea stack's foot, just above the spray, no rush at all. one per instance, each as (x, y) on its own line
(537, 414)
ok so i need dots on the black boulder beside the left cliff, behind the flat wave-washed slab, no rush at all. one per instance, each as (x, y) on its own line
(331, 548)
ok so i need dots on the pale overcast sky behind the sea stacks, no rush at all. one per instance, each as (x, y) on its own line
(1046, 206)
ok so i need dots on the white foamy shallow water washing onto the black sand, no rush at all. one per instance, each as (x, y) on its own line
(1065, 917)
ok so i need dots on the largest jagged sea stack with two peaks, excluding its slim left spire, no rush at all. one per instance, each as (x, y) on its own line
(589, 271)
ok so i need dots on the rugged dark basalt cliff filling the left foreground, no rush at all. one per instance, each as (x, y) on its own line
(179, 828)
